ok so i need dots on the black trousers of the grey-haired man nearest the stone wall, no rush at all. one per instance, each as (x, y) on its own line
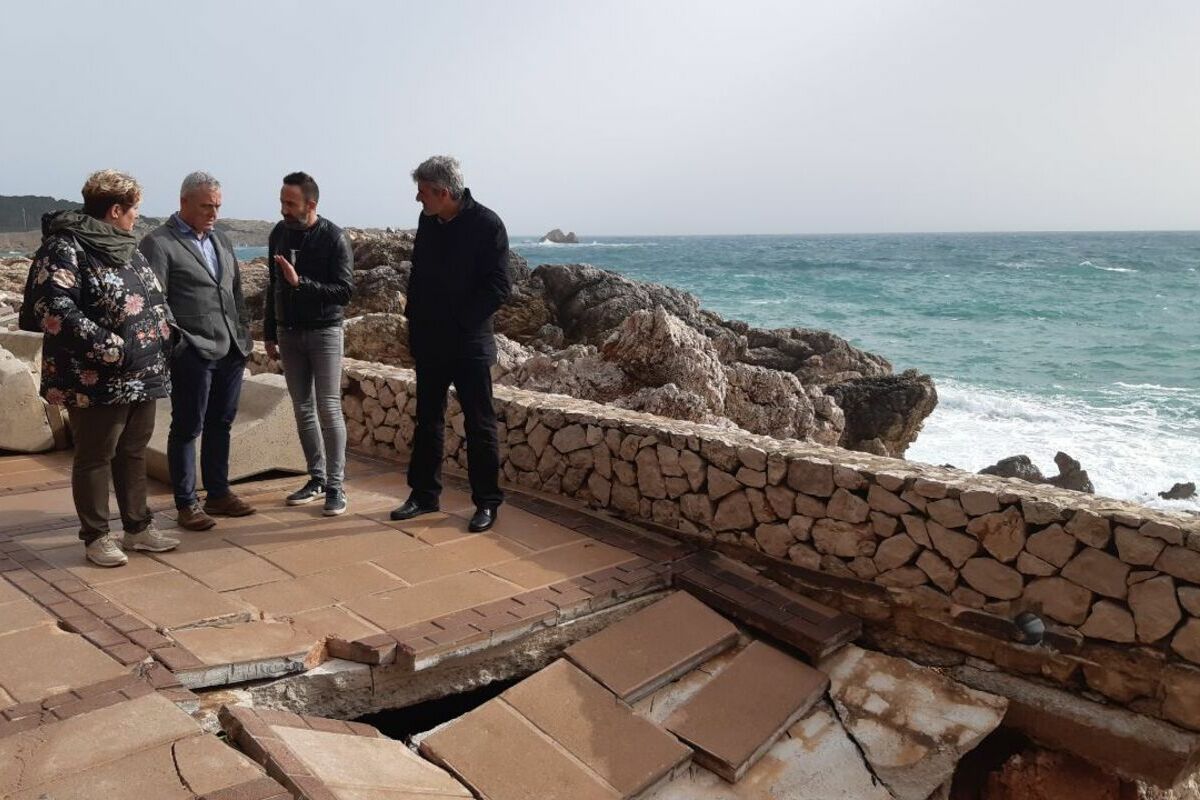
(472, 380)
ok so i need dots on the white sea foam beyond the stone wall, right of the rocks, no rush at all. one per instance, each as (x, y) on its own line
(1130, 449)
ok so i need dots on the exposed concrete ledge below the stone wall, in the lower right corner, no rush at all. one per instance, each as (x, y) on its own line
(1135, 747)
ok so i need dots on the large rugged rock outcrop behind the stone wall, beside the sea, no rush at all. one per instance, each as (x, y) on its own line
(591, 334)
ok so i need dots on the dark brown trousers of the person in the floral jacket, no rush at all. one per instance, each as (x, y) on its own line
(111, 441)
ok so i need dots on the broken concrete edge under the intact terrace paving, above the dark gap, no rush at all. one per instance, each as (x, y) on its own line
(346, 690)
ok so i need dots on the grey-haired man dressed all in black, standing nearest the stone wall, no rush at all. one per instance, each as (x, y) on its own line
(460, 279)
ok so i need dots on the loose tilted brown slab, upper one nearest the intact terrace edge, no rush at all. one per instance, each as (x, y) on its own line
(655, 647)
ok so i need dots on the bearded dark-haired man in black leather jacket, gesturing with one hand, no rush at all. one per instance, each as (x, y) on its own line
(311, 278)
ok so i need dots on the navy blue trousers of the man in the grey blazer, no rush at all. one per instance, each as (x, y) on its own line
(203, 401)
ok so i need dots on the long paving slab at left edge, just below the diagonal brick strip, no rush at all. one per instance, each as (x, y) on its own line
(81, 743)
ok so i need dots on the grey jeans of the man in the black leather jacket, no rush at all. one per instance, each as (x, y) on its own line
(313, 366)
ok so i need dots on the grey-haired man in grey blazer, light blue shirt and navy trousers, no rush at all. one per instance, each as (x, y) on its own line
(202, 282)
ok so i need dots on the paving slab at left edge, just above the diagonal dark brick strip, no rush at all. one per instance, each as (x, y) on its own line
(45, 660)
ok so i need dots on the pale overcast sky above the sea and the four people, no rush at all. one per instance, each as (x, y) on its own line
(620, 118)
